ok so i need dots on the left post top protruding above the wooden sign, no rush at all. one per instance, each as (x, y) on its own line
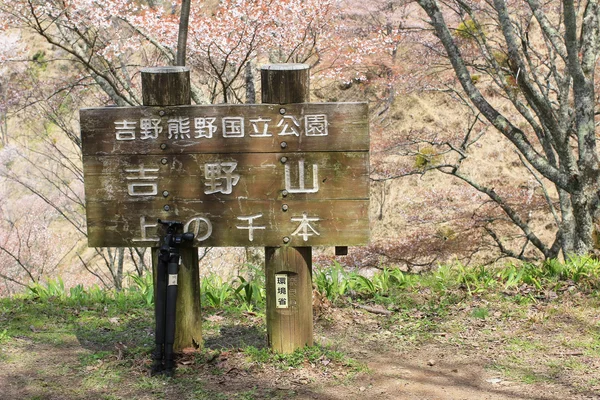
(166, 86)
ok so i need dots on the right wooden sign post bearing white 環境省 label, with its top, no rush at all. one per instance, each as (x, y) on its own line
(288, 328)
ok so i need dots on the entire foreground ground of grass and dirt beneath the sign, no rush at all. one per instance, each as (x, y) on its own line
(534, 336)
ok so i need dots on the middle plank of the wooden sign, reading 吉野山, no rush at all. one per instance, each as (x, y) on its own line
(256, 176)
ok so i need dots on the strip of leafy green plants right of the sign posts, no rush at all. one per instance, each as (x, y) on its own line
(450, 280)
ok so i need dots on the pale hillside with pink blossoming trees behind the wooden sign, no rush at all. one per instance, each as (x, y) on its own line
(377, 52)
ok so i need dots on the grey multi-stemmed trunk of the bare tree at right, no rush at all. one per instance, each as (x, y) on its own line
(564, 125)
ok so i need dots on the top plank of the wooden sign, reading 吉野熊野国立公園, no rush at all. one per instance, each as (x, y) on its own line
(218, 128)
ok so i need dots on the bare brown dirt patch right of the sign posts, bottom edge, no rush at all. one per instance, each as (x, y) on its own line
(431, 373)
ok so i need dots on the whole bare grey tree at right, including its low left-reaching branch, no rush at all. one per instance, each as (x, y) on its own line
(543, 58)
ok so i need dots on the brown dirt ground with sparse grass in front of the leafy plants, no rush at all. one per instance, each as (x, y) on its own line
(543, 352)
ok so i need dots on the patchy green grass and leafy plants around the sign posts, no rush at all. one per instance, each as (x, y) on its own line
(452, 300)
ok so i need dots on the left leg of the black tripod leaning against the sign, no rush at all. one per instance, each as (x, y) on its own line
(159, 314)
